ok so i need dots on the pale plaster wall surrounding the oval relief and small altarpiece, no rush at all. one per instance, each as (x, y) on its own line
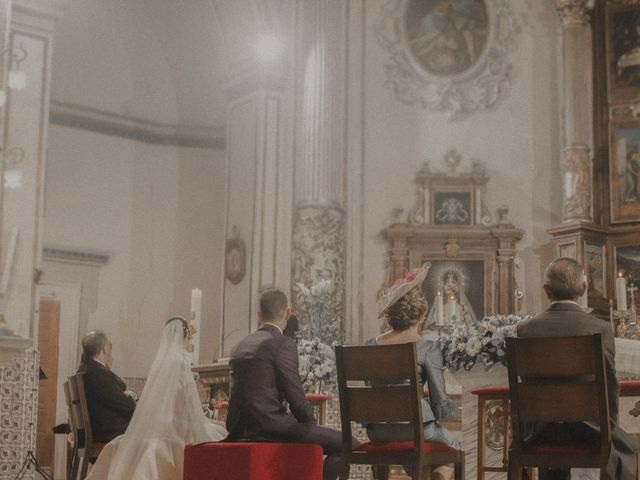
(517, 140)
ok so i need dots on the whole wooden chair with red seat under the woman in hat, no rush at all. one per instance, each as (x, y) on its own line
(380, 384)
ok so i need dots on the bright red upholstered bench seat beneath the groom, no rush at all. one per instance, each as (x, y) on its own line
(253, 461)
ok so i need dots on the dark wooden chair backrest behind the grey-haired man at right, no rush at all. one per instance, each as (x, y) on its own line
(557, 379)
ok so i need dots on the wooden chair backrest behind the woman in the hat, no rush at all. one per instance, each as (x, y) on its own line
(379, 383)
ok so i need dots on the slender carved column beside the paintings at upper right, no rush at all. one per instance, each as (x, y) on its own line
(576, 155)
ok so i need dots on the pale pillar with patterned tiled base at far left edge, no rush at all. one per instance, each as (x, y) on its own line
(27, 42)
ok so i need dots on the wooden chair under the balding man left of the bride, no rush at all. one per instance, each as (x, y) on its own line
(86, 450)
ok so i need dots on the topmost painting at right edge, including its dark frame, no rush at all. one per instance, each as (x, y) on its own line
(623, 50)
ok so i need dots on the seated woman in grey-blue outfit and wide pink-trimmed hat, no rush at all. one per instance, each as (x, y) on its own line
(404, 308)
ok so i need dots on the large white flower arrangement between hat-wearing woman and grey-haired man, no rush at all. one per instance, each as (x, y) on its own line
(484, 342)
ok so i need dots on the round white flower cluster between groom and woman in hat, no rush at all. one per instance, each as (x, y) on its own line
(317, 363)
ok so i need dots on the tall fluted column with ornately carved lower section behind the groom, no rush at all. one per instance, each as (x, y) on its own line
(319, 234)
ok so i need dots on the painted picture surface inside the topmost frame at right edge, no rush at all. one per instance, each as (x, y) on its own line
(625, 48)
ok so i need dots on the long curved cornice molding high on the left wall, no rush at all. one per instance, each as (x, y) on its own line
(140, 130)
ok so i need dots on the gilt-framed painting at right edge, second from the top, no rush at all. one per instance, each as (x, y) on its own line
(624, 171)
